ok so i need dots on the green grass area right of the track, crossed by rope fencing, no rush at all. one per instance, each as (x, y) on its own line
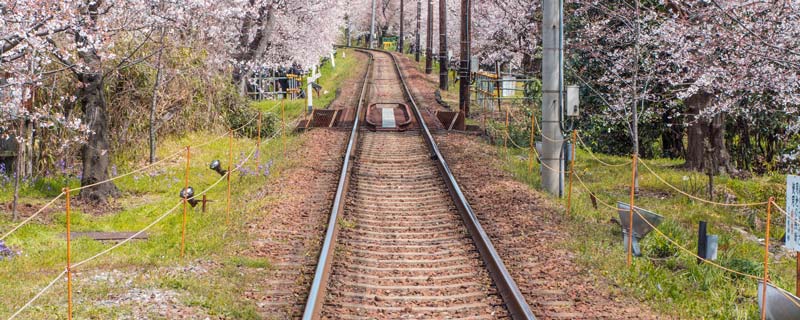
(666, 278)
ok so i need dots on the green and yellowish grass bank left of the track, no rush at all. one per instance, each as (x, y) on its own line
(155, 264)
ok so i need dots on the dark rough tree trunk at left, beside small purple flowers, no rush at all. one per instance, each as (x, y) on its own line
(95, 153)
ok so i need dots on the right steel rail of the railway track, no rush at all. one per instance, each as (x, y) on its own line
(509, 291)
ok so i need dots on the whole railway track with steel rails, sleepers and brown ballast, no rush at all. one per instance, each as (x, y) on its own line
(402, 241)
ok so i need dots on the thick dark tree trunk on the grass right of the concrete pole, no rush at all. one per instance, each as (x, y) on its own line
(702, 128)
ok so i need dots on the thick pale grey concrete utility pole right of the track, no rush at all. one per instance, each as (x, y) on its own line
(551, 97)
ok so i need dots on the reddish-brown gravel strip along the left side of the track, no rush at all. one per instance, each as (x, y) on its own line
(291, 235)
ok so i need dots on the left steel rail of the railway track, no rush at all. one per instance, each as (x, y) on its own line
(316, 295)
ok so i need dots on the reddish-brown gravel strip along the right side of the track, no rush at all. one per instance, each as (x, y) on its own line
(525, 228)
